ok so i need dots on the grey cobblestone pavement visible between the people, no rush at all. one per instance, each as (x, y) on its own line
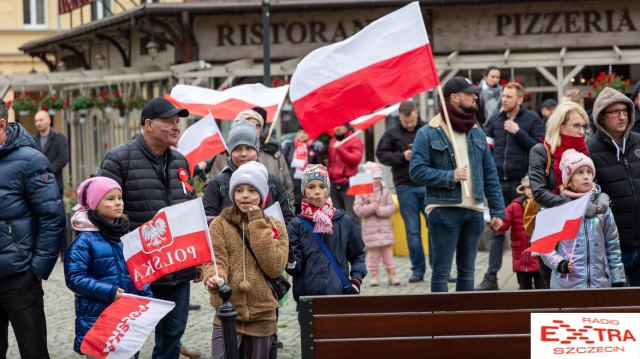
(60, 310)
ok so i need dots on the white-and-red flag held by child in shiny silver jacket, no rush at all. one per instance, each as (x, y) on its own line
(558, 224)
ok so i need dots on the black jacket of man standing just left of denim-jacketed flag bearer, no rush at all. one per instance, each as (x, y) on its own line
(390, 152)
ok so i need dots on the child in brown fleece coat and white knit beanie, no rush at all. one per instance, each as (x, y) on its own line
(248, 246)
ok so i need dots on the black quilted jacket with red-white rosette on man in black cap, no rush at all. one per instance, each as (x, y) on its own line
(148, 186)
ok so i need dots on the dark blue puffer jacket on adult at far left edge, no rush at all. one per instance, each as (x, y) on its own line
(32, 218)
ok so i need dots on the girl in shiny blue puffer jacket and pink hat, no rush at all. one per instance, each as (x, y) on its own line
(94, 265)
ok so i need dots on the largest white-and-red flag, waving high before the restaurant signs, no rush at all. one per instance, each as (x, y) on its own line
(388, 61)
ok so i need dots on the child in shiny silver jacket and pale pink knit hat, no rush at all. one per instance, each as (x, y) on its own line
(593, 258)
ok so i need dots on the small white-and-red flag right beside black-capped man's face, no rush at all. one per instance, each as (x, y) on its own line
(201, 141)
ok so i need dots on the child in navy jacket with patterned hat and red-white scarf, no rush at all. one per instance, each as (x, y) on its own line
(319, 232)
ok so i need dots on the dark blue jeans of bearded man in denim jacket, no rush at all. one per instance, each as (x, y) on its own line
(454, 229)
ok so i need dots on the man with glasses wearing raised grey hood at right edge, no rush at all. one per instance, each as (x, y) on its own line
(615, 152)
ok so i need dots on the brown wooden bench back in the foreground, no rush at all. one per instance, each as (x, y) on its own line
(442, 325)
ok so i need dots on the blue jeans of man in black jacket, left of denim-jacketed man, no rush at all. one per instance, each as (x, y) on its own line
(412, 202)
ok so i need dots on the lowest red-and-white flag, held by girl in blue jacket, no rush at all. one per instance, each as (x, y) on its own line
(122, 329)
